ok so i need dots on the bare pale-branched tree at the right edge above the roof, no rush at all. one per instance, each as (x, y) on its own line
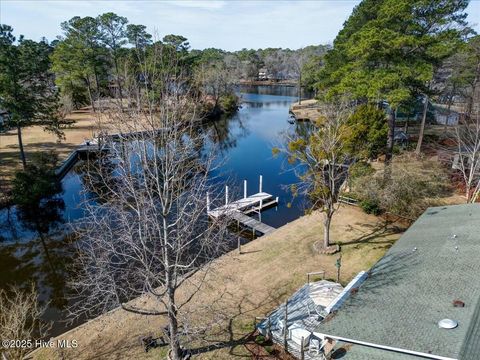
(467, 156)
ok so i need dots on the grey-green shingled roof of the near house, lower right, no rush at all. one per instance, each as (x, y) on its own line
(414, 285)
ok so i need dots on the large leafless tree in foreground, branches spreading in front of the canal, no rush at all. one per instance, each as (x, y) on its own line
(150, 235)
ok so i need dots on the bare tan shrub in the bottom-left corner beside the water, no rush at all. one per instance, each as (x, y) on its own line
(20, 315)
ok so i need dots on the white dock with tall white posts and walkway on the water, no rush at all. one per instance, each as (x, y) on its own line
(238, 210)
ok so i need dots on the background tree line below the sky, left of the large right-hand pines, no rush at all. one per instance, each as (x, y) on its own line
(106, 57)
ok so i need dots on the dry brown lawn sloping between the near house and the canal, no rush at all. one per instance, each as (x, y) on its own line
(241, 287)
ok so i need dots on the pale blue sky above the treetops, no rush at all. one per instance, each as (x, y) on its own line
(230, 25)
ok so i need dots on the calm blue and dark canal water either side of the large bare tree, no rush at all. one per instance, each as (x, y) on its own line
(36, 247)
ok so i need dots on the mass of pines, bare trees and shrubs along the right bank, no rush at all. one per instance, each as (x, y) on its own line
(389, 56)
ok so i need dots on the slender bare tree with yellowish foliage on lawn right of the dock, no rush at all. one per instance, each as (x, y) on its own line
(321, 161)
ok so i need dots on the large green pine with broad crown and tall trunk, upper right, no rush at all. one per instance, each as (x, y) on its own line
(389, 50)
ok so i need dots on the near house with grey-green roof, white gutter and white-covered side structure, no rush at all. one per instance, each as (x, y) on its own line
(420, 301)
